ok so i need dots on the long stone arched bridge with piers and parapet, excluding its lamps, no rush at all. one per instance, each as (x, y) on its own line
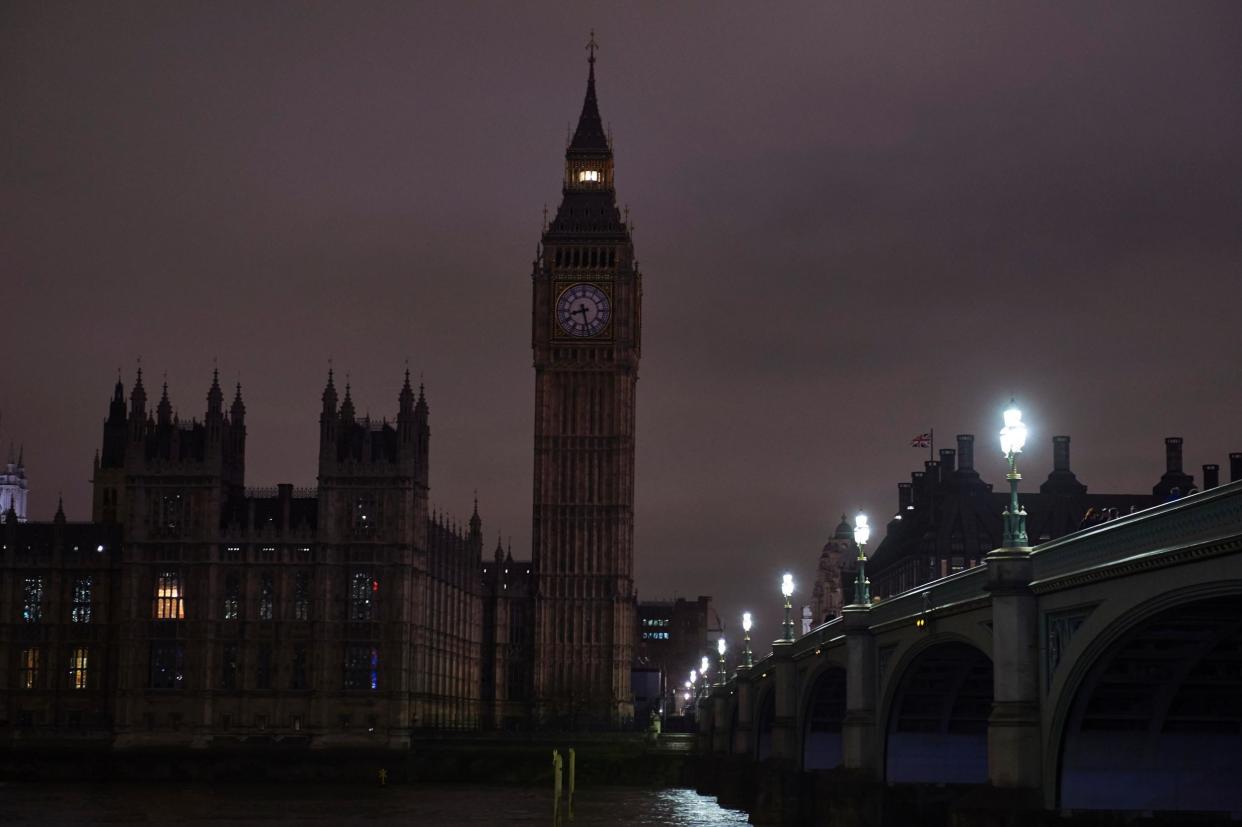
(1101, 671)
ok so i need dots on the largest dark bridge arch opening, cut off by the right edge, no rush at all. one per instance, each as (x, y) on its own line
(1151, 716)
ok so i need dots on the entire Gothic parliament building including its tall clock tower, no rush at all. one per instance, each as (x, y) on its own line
(194, 610)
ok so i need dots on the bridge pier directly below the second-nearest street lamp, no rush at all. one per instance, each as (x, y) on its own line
(859, 737)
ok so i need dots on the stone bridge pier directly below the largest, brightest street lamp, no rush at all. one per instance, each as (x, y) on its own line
(1015, 757)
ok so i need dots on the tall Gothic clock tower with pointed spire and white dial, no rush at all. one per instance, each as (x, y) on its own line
(586, 335)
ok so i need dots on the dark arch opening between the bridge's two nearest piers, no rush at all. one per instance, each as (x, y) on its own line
(937, 713)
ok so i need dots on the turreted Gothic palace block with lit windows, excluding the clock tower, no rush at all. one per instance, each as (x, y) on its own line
(340, 615)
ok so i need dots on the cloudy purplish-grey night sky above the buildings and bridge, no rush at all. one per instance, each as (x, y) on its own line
(855, 222)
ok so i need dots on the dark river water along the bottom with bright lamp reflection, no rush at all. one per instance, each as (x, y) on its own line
(336, 804)
